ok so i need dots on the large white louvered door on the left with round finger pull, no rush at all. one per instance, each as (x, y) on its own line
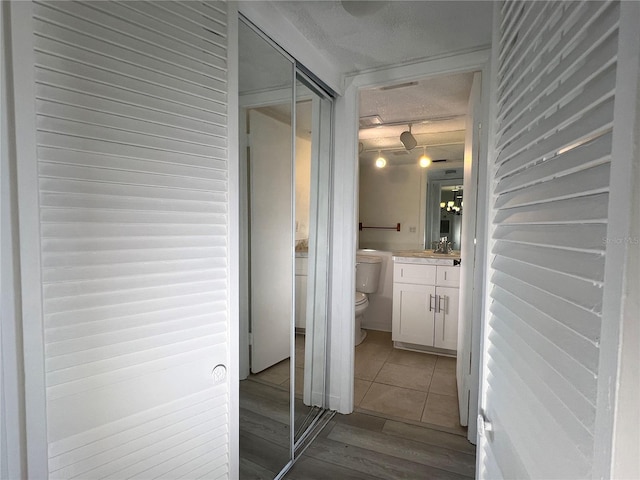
(125, 236)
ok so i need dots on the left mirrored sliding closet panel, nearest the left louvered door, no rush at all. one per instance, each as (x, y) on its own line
(266, 304)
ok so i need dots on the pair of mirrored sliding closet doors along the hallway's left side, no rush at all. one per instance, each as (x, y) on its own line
(285, 166)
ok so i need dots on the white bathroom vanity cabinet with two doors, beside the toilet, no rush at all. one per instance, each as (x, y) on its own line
(425, 305)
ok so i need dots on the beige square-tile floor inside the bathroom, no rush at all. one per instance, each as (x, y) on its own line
(406, 385)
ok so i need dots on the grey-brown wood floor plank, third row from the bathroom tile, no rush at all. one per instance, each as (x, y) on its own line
(374, 464)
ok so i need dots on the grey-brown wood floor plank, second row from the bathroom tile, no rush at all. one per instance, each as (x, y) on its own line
(442, 458)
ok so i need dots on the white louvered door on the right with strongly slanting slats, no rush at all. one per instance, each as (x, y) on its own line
(555, 86)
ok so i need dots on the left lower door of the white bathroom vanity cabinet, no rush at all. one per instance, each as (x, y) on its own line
(412, 315)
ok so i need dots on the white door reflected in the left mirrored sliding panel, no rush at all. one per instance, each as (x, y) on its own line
(271, 240)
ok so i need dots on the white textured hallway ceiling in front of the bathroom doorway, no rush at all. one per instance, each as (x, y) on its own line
(379, 33)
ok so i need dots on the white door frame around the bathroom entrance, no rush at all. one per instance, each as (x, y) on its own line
(345, 203)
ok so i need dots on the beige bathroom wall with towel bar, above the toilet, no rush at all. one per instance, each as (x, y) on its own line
(391, 195)
